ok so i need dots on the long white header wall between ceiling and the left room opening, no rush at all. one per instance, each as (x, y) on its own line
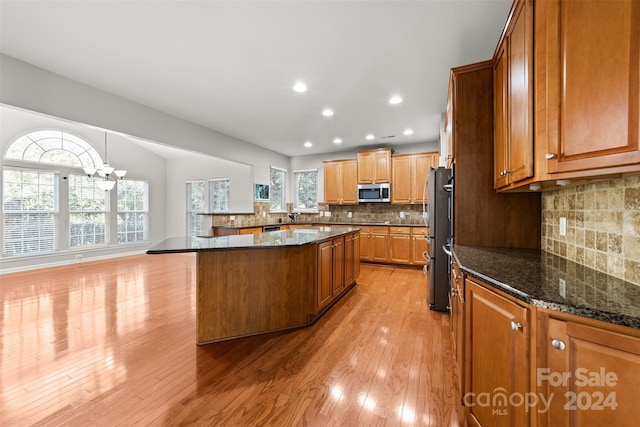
(32, 88)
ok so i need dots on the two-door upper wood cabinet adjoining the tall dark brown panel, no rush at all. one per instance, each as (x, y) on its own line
(513, 98)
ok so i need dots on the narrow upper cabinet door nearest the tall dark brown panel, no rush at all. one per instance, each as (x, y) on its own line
(500, 119)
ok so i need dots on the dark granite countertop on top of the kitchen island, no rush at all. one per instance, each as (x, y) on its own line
(272, 239)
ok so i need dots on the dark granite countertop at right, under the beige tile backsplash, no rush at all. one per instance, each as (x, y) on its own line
(552, 282)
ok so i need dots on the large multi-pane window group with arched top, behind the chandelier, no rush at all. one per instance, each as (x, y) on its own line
(33, 212)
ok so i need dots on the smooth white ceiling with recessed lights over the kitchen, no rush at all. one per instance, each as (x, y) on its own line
(230, 65)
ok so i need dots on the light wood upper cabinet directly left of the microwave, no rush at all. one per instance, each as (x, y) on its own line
(340, 182)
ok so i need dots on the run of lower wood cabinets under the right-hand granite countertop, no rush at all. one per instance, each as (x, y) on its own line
(525, 365)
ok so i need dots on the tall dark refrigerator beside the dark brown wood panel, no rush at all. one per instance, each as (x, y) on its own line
(438, 218)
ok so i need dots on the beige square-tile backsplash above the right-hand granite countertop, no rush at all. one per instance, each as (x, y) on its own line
(603, 226)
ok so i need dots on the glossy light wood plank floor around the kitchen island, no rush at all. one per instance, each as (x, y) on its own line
(113, 343)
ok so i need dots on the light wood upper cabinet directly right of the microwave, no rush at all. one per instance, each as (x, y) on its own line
(409, 173)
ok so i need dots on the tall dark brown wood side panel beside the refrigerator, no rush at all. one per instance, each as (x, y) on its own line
(514, 218)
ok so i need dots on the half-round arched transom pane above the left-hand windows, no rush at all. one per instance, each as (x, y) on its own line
(54, 147)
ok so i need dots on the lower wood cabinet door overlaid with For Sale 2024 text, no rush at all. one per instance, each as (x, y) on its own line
(593, 375)
